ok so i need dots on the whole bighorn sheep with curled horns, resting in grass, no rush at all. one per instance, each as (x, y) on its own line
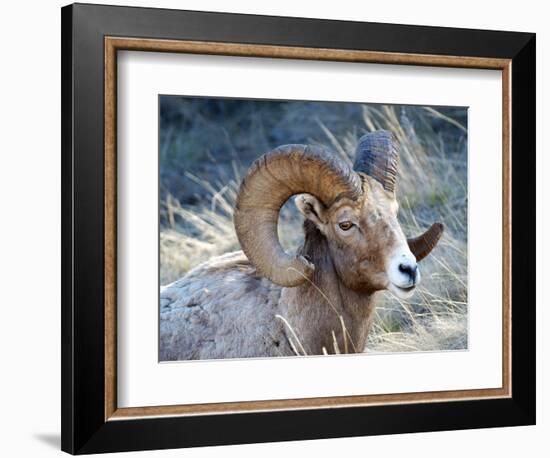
(263, 301)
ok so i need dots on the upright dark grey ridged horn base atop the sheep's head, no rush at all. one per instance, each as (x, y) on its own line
(377, 156)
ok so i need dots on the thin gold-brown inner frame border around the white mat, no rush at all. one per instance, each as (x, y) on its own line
(112, 45)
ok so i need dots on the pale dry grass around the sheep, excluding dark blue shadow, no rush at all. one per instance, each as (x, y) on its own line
(432, 187)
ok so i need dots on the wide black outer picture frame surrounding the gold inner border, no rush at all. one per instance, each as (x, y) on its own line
(84, 427)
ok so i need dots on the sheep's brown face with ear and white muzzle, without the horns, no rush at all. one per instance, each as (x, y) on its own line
(366, 242)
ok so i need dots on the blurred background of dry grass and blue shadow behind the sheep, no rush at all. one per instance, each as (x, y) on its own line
(207, 144)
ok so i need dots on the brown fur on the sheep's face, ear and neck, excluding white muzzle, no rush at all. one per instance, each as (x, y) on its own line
(349, 270)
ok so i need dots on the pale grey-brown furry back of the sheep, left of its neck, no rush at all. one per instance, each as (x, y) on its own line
(221, 309)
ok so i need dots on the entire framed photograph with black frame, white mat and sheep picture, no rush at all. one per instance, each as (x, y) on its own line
(284, 228)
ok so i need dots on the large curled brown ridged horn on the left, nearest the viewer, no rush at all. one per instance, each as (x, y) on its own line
(269, 183)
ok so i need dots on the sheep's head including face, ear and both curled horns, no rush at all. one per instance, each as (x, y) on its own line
(355, 209)
